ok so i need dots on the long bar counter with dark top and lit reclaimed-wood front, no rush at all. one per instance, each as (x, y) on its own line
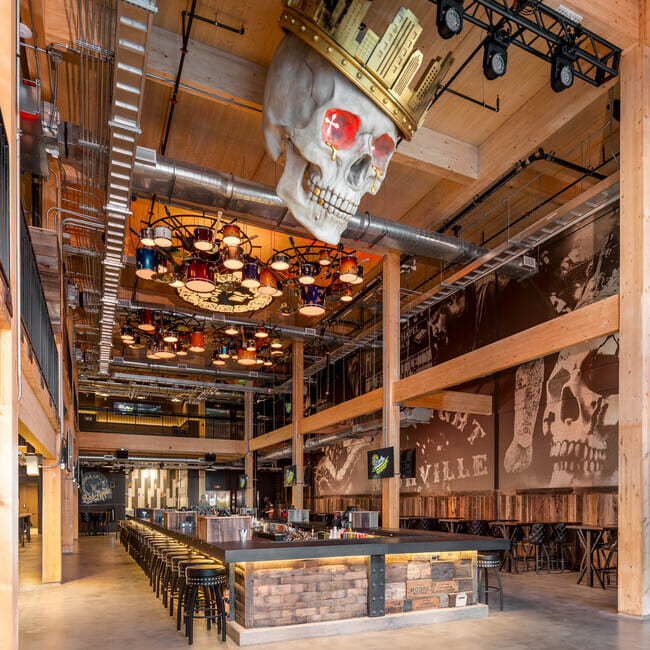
(286, 590)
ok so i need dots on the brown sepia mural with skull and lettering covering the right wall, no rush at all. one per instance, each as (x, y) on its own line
(557, 417)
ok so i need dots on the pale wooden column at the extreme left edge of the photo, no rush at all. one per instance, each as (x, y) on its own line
(9, 350)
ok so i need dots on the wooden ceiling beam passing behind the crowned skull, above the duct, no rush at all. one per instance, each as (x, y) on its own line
(225, 77)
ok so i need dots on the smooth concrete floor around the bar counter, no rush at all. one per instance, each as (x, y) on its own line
(106, 602)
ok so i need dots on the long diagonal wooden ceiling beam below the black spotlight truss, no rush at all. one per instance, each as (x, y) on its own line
(534, 123)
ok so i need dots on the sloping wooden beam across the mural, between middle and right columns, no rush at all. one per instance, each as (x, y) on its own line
(580, 325)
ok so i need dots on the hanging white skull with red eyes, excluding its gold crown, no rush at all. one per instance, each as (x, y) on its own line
(337, 143)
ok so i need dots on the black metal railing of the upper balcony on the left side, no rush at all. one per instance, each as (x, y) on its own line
(35, 315)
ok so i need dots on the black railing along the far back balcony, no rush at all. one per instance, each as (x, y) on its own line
(160, 424)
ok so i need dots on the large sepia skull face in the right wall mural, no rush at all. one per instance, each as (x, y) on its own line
(582, 412)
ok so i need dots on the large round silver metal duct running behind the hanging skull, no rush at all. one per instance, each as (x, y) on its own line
(201, 187)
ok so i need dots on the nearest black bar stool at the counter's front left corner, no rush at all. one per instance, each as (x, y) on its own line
(208, 578)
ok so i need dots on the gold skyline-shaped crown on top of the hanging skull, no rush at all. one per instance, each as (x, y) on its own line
(382, 68)
